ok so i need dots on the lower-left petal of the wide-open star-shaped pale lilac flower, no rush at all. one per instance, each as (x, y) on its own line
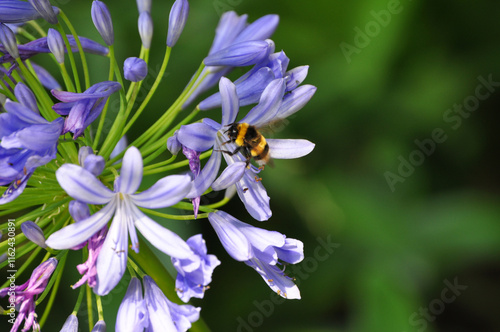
(74, 234)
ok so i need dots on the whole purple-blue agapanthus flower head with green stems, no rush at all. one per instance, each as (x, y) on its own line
(70, 180)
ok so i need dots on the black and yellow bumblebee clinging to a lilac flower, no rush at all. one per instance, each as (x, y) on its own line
(250, 142)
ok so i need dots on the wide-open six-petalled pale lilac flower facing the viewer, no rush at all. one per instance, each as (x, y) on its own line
(82, 185)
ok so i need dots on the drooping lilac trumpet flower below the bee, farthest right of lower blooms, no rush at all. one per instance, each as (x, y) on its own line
(260, 249)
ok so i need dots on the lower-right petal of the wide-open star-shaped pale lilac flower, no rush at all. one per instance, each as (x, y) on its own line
(161, 237)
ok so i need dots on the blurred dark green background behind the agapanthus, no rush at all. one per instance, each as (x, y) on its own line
(398, 205)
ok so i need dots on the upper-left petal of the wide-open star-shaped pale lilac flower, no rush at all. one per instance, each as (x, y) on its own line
(82, 185)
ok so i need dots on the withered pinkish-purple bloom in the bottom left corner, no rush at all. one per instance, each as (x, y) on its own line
(24, 296)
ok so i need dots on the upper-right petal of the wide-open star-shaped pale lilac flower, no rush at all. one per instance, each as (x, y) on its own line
(166, 192)
